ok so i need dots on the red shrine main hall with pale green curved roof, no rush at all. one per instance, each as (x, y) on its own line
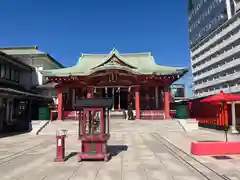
(127, 78)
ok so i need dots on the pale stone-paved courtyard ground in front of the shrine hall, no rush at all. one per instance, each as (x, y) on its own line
(137, 154)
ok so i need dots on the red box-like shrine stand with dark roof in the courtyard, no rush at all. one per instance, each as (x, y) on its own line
(94, 128)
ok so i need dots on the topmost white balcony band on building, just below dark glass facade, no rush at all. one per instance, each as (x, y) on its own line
(217, 36)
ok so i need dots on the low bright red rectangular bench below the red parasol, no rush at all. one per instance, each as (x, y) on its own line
(215, 148)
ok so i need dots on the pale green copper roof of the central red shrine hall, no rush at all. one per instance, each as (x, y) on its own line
(137, 63)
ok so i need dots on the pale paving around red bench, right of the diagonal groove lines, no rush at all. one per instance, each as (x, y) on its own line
(228, 167)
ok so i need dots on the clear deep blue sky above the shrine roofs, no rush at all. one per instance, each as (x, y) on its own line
(65, 29)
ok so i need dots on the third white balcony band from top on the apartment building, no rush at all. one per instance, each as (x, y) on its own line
(217, 59)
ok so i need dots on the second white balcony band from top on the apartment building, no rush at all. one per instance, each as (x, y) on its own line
(217, 47)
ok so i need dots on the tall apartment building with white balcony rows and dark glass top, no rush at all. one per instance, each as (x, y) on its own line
(214, 34)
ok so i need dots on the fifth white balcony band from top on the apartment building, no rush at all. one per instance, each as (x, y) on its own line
(229, 77)
